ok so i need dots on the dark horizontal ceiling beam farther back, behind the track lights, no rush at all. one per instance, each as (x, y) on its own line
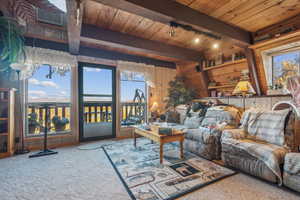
(97, 35)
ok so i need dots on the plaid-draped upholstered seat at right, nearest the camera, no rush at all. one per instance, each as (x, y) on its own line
(260, 145)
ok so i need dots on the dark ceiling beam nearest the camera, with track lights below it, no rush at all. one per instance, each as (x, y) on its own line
(165, 11)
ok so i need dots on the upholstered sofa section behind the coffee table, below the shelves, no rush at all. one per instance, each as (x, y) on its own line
(203, 128)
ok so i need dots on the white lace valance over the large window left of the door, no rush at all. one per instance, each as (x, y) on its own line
(59, 60)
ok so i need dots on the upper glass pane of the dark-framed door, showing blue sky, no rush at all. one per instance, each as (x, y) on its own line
(97, 81)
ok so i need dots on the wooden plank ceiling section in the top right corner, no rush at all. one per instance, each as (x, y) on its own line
(249, 15)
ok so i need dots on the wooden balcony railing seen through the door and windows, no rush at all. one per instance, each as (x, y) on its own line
(94, 112)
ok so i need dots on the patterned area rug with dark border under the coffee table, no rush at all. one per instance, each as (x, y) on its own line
(146, 179)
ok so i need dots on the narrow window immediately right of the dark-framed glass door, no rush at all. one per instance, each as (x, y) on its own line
(133, 98)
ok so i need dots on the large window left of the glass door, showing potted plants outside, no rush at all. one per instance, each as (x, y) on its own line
(50, 86)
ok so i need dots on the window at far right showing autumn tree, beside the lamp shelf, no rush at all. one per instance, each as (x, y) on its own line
(284, 65)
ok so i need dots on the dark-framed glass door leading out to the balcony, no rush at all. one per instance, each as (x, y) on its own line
(96, 101)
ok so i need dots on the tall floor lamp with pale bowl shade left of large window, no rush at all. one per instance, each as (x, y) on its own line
(19, 68)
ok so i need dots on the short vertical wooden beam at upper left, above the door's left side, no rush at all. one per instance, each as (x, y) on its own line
(74, 24)
